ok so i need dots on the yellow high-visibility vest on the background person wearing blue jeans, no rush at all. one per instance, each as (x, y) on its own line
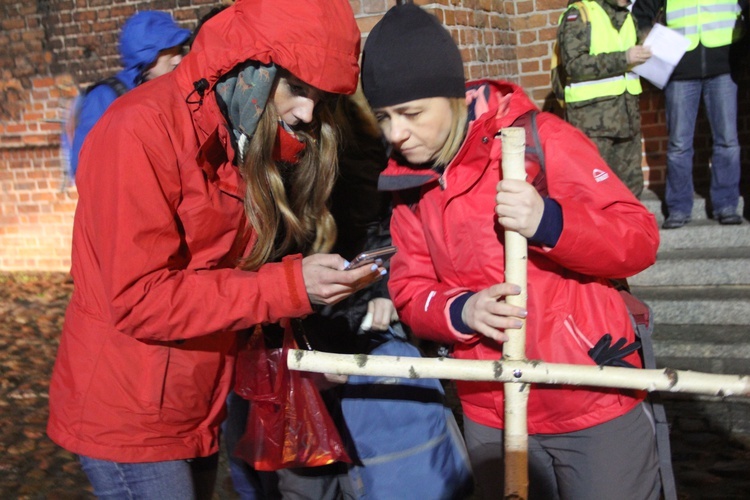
(714, 23)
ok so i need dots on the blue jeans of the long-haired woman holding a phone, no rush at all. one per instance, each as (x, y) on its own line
(173, 479)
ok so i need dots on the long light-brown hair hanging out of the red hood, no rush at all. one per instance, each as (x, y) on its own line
(287, 205)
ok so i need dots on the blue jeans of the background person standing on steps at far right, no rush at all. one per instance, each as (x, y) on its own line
(682, 102)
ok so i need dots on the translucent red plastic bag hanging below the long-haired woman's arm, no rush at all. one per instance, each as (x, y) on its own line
(288, 424)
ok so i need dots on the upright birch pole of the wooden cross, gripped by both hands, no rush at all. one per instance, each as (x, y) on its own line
(515, 434)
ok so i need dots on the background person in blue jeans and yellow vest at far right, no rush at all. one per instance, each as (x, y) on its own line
(707, 71)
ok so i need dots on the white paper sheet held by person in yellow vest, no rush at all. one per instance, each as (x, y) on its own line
(667, 48)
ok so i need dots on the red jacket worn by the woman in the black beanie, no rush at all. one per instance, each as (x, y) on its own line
(449, 243)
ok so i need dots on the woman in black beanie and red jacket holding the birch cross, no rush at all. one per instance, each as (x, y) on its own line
(447, 277)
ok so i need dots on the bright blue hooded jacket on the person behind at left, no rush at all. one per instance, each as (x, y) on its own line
(143, 36)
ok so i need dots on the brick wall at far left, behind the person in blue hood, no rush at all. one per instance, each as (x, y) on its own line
(49, 49)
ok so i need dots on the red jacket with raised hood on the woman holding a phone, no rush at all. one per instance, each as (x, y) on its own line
(146, 356)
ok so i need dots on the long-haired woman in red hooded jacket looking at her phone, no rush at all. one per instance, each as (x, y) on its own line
(167, 265)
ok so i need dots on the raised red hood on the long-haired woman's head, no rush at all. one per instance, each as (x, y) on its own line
(316, 40)
